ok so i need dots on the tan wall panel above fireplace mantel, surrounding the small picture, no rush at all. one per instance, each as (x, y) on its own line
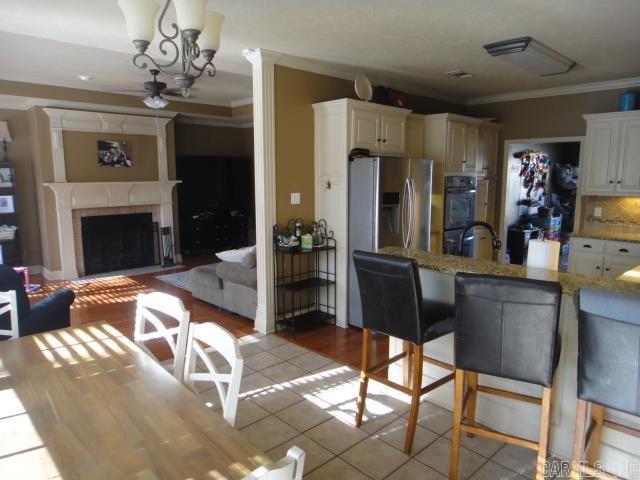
(80, 156)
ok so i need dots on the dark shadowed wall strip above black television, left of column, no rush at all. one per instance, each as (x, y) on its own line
(204, 140)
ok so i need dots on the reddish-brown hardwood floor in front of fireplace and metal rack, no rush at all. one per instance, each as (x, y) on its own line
(112, 299)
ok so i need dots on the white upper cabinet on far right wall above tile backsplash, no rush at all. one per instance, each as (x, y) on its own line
(611, 161)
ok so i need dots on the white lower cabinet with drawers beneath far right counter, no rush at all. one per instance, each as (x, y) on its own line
(608, 258)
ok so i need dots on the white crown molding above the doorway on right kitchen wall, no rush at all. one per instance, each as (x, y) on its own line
(557, 91)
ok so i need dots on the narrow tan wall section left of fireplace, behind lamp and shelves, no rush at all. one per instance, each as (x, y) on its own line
(20, 151)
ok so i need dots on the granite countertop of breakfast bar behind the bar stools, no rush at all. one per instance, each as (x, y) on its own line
(570, 282)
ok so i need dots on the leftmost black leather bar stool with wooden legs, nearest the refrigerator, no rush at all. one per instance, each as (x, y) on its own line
(392, 304)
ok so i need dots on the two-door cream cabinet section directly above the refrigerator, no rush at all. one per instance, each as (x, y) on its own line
(378, 130)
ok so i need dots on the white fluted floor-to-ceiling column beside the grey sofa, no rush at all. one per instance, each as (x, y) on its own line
(263, 62)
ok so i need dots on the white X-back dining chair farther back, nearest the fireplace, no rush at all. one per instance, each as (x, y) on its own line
(176, 336)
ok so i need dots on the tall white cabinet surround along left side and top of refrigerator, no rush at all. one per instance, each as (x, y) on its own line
(340, 126)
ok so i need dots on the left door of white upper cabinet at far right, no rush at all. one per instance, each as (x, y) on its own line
(601, 158)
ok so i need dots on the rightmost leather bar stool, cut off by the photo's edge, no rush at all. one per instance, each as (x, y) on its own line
(608, 372)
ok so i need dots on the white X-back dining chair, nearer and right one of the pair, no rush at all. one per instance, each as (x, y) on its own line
(206, 337)
